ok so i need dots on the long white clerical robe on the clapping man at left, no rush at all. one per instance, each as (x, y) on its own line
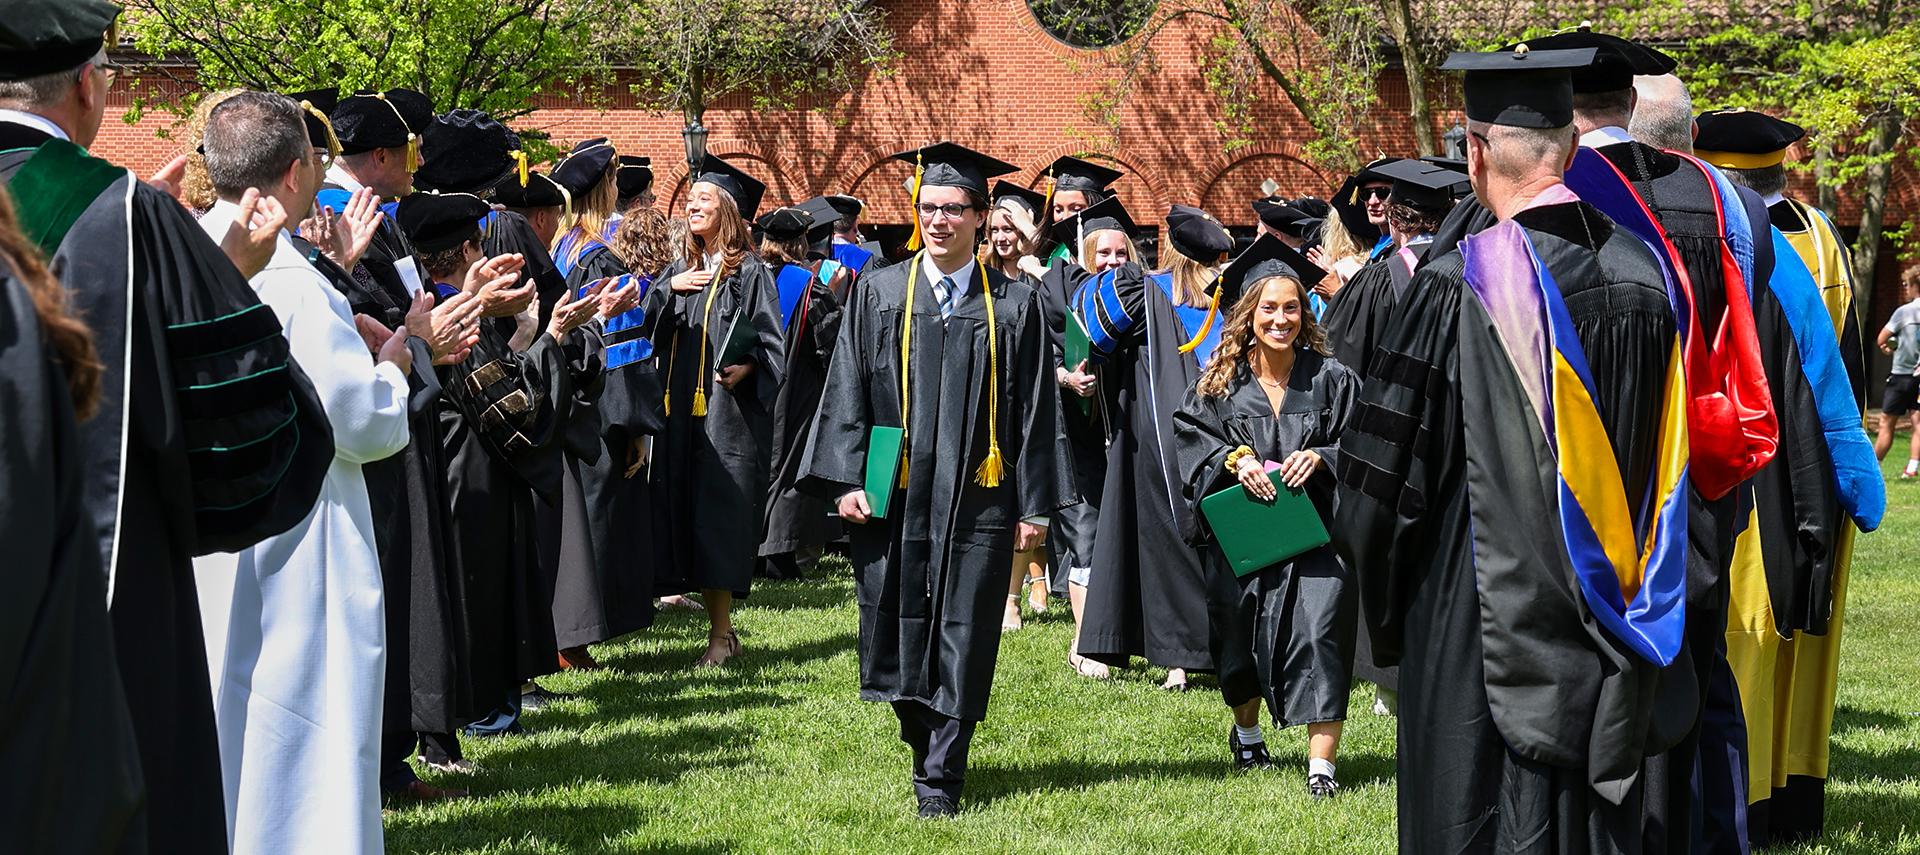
(297, 629)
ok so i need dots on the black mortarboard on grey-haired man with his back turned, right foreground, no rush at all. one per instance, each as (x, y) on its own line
(1520, 87)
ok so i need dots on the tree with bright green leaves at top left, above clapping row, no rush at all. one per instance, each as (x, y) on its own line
(485, 55)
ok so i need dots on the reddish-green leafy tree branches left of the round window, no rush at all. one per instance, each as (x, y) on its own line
(688, 53)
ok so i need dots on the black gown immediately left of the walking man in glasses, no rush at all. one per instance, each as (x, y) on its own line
(796, 520)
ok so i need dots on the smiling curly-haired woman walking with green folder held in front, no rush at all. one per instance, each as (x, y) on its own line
(1272, 406)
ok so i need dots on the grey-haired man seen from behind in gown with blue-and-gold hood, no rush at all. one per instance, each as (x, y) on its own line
(1541, 353)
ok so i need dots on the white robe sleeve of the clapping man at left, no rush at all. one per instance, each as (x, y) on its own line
(366, 403)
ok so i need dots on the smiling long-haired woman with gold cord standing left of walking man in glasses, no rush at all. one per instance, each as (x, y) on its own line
(725, 358)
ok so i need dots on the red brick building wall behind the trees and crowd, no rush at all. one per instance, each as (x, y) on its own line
(984, 74)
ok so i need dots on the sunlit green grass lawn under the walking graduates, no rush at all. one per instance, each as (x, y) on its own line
(777, 754)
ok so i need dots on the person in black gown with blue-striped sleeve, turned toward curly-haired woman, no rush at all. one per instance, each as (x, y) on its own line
(1155, 333)
